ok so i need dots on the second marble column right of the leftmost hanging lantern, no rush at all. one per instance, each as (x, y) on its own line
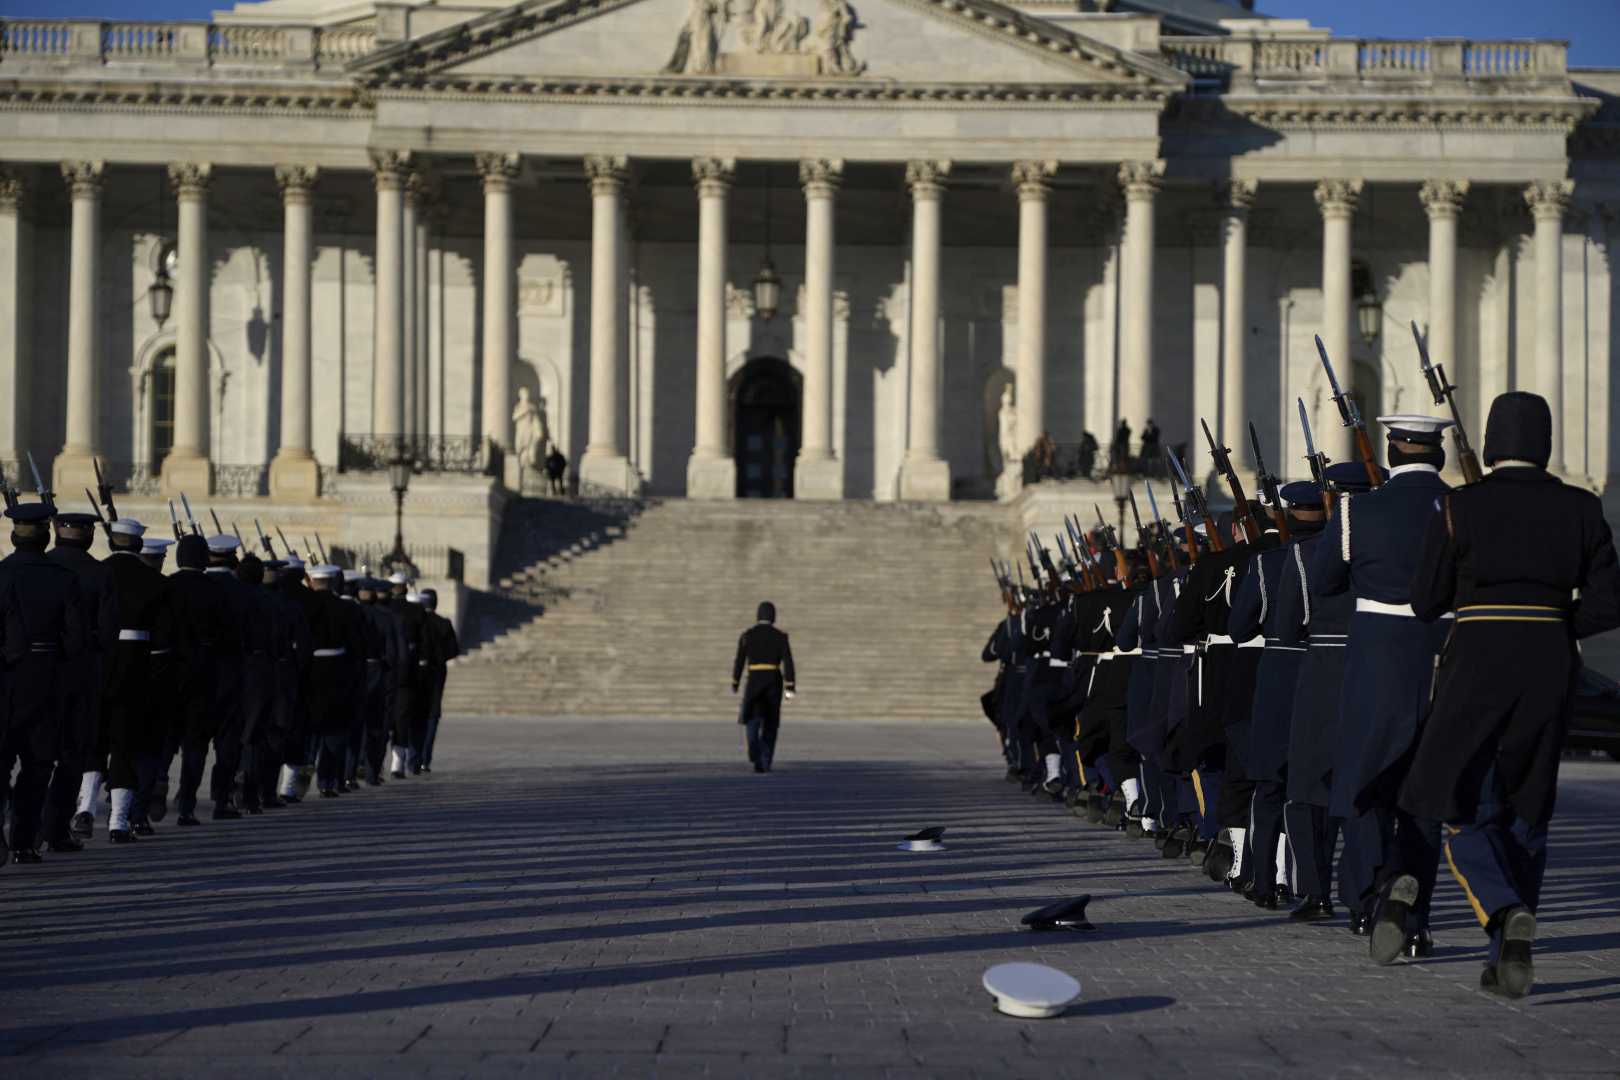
(294, 472)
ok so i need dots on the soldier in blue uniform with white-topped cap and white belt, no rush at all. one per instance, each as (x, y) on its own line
(1370, 550)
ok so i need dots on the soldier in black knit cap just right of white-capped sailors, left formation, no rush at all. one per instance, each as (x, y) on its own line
(190, 629)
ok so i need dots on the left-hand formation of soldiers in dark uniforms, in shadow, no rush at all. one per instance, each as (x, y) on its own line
(113, 670)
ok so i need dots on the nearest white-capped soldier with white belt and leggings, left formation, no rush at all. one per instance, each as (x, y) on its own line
(130, 718)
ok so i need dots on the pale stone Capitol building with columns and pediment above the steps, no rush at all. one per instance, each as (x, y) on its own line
(858, 250)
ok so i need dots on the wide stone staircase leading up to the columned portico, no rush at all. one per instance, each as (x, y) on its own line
(628, 610)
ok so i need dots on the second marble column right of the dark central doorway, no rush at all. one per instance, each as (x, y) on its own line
(924, 474)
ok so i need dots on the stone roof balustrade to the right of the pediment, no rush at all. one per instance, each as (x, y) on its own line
(1281, 62)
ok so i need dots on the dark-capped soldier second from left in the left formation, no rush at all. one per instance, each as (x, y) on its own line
(83, 741)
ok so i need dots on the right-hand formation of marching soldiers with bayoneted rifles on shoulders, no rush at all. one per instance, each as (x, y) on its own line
(1368, 663)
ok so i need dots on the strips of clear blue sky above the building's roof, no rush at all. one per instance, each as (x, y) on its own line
(1592, 27)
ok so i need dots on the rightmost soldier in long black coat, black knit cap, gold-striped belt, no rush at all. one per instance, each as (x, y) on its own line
(1528, 564)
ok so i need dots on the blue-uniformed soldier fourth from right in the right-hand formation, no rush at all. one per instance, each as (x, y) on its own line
(1255, 613)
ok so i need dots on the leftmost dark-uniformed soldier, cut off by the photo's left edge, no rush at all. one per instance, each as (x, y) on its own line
(45, 639)
